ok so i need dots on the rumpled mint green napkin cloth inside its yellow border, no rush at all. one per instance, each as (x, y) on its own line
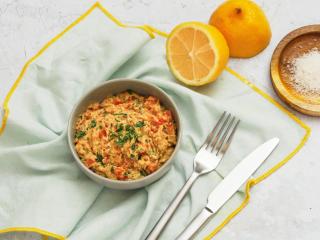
(42, 187)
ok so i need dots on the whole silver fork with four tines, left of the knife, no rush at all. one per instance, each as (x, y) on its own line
(205, 161)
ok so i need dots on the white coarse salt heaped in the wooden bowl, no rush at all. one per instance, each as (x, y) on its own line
(305, 72)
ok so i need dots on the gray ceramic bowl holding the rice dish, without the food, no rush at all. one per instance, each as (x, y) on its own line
(107, 89)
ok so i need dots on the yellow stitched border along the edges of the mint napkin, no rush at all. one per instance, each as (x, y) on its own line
(152, 31)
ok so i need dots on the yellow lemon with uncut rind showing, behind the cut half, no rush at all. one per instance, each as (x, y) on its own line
(244, 26)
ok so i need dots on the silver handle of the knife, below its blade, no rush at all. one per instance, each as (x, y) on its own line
(195, 224)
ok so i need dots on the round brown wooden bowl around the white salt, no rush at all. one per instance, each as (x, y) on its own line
(295, 44)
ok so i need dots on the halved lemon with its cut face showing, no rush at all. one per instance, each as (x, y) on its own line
(196, 53)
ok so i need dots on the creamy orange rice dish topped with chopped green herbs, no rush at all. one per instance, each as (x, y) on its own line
(126, 136)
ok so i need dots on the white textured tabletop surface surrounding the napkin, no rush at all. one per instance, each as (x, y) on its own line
(286, 205)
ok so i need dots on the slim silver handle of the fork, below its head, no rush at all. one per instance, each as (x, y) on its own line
(166, 216)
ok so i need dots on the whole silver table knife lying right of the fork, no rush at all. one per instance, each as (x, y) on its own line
(229, 186)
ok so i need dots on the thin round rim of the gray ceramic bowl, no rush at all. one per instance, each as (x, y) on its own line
(113, 181)
